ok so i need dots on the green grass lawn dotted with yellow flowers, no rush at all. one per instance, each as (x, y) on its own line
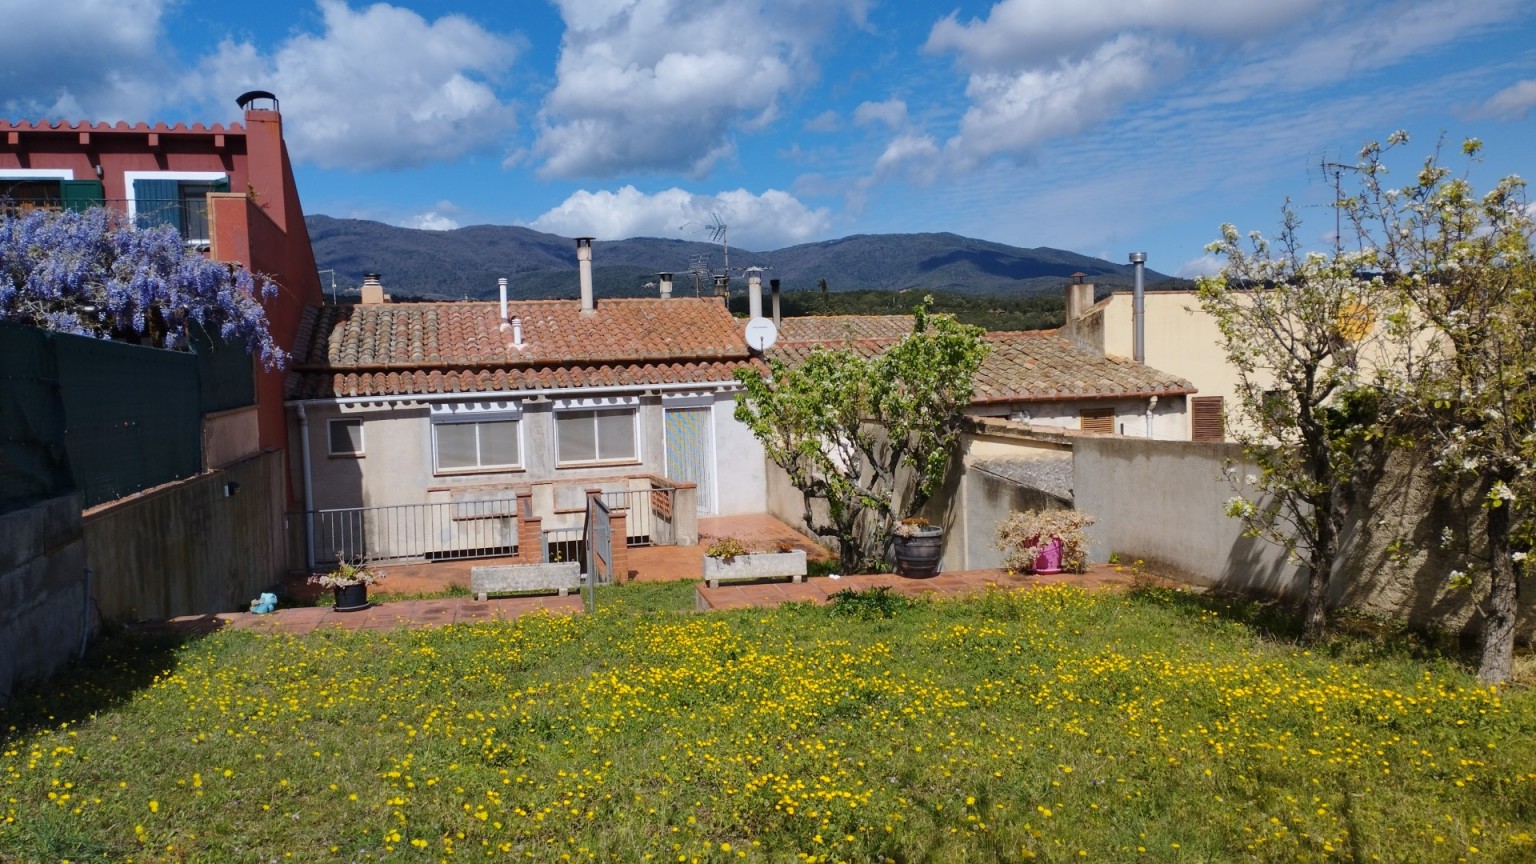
(1044, 725)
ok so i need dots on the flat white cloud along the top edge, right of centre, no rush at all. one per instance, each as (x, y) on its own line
(1036, 32)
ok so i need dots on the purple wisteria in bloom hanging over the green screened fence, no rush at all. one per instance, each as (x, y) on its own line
(91, 274)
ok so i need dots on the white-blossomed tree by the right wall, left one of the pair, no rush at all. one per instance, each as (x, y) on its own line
(1294, 327)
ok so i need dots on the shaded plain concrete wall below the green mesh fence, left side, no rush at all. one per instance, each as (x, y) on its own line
(190, 548)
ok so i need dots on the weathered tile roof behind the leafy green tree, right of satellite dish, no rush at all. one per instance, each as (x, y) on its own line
(1024, 367)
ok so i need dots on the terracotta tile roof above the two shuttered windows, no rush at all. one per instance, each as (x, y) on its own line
(445, 348)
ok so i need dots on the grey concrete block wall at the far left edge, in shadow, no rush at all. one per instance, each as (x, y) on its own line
(44, 605)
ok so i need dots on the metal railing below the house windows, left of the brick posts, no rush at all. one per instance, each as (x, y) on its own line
(422, 533)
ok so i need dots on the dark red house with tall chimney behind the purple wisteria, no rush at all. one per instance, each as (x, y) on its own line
(230, 191)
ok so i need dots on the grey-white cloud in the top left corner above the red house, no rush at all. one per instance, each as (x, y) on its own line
(82, 61)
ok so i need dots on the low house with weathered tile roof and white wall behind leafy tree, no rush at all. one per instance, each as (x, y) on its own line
(1036, 377)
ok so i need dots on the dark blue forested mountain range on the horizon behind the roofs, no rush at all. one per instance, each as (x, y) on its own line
(466, 264)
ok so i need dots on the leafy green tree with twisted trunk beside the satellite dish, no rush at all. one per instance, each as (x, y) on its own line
(869, 436)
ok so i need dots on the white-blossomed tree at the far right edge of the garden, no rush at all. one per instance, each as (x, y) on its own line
(1465, 265)
